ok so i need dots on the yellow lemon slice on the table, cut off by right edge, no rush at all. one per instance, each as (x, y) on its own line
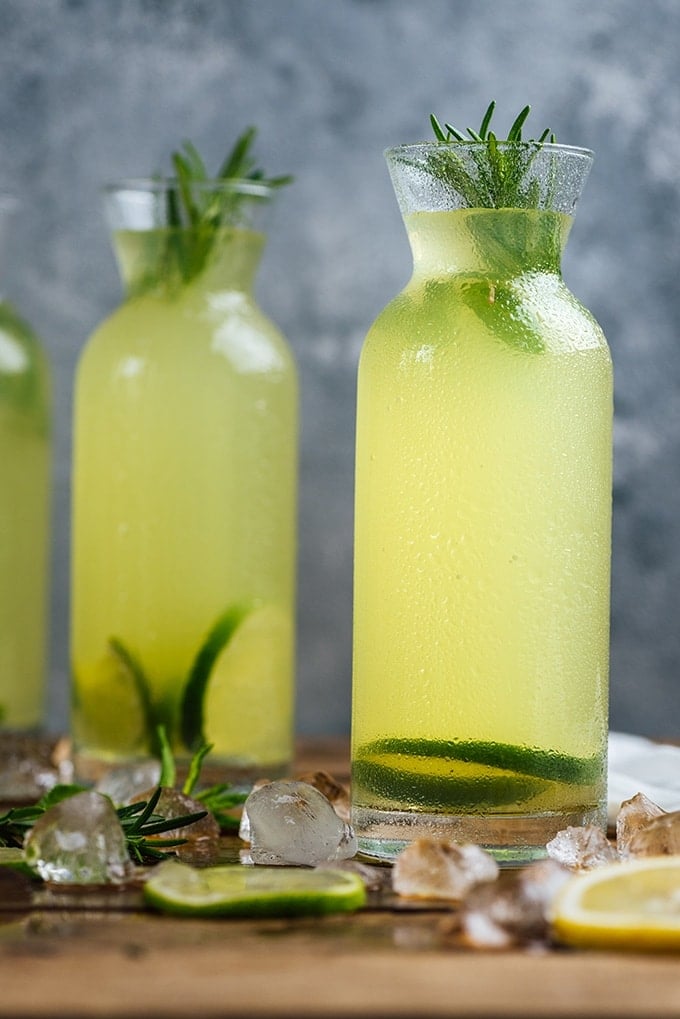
(634, 905)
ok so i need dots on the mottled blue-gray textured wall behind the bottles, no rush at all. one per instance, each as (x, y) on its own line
(92, 90)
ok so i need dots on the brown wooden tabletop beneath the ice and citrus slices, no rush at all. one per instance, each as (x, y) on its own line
(102, 954)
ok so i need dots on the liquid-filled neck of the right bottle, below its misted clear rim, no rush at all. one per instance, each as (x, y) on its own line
(497, 243)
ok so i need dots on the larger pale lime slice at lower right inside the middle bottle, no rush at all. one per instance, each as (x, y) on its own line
(247, 707)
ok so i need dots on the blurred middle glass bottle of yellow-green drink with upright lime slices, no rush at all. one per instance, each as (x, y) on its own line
(185, 481)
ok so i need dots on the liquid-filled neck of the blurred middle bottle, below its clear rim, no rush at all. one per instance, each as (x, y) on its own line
(166, 261)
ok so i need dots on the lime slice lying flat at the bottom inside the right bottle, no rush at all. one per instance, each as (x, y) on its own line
(443, 775)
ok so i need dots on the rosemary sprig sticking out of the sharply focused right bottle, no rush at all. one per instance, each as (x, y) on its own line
(490, 173)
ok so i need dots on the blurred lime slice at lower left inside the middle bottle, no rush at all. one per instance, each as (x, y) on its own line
(112, 710)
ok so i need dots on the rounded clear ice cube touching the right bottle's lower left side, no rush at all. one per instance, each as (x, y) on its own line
(291, 823)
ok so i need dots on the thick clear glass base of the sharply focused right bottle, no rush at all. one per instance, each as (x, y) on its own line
(513, 840)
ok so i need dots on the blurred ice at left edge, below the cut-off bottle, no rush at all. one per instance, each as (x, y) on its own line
(31, 766)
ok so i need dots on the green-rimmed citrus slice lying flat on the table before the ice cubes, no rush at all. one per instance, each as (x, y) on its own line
(235, 890)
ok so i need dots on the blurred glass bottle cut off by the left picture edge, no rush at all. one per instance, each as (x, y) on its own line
(25, 514)
